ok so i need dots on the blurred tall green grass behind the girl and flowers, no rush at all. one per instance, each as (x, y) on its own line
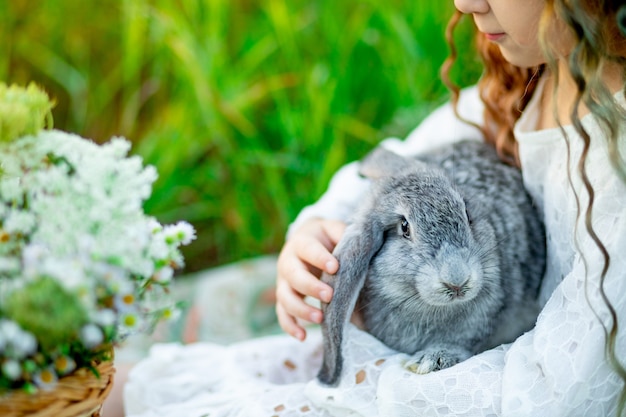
(246, 108)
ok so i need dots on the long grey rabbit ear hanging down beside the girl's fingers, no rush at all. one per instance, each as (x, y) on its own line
(361, 241)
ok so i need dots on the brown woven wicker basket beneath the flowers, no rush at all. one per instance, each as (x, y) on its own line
(80, 394)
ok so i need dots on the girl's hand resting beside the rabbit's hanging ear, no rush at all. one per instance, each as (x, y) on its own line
(304, 256)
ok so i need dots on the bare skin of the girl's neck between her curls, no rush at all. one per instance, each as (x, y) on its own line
(565, 95)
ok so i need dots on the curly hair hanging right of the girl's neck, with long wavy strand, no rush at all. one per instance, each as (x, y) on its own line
(598, 41)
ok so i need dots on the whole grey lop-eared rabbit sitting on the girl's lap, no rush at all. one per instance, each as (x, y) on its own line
(443, 260)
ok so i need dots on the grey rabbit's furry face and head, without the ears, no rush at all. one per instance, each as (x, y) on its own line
(432, 251)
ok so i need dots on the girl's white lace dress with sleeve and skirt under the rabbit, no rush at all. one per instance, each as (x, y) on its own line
(557, 369)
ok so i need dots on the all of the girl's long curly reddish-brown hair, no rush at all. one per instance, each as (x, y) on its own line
(506, 90)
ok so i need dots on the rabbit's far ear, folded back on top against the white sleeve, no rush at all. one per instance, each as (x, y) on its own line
(382, 163)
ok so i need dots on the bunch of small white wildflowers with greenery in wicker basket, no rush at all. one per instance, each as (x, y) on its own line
(81, 265)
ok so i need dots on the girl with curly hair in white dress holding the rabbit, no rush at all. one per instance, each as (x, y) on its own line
(552, 101)
